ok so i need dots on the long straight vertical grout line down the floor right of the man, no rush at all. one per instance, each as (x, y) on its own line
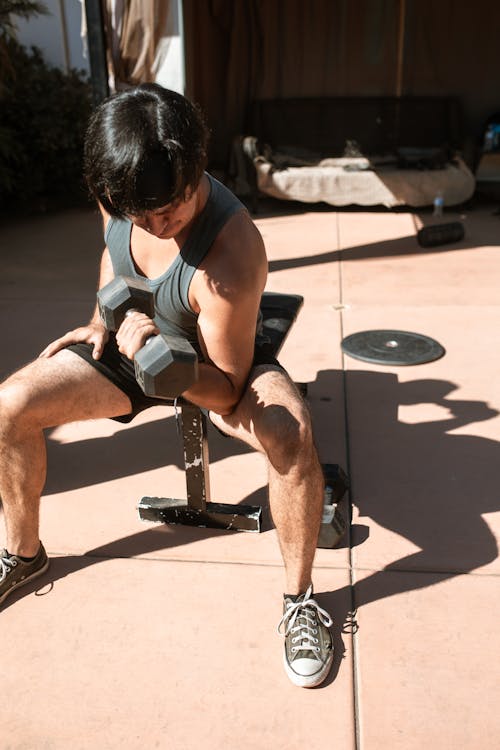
(355, 655)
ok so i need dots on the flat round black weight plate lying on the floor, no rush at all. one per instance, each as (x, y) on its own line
(392, 347)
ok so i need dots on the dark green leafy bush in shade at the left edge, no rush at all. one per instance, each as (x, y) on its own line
(43, 116)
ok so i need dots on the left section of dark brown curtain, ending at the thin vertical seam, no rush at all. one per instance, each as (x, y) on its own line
(241, 50)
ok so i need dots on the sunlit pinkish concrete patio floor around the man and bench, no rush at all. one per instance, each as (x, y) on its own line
(145, 636)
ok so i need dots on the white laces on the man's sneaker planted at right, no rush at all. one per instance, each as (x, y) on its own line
(300, 620)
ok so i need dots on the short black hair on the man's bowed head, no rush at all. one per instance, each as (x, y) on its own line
(144, 147)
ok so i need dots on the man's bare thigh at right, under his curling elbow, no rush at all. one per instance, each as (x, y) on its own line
(270, 392)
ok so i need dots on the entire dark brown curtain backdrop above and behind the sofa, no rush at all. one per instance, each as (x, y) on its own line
(241, 50)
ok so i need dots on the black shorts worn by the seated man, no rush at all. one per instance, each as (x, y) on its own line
(120, 371)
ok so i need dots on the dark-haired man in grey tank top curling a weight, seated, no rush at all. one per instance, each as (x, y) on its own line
(168, 222)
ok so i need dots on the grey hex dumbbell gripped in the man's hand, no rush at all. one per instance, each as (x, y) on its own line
(166, 365)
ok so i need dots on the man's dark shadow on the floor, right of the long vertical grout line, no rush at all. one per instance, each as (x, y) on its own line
(421, 480)
